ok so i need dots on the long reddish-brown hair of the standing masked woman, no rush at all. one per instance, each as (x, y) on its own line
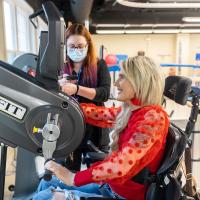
(90, 62)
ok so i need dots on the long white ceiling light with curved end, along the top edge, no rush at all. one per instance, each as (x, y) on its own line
(158, 5)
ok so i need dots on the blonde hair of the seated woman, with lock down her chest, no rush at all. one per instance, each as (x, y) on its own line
(148, 84)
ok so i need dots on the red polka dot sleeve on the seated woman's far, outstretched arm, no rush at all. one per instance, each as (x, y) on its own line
(99, 115)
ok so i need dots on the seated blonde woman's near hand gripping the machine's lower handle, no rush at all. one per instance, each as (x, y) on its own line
(61, 172)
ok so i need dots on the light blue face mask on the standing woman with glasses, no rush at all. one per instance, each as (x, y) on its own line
(77, 55)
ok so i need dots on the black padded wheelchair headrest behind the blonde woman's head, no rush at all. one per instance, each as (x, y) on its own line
(177, 88)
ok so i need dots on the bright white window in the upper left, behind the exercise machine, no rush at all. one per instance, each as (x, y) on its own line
(21, 37)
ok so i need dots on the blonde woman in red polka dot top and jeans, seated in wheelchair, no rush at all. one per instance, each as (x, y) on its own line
(138, 139)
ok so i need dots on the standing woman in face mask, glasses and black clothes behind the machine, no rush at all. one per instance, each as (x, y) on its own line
(92, 85)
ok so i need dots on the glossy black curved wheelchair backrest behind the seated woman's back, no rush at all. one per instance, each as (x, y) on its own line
(175, 146)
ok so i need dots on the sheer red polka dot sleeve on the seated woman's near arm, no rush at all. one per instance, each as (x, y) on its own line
(146, 137)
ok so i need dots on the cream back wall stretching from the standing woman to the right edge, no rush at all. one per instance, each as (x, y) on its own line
(163, 48)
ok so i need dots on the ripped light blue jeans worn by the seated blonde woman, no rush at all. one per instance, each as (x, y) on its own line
(44, 191)
